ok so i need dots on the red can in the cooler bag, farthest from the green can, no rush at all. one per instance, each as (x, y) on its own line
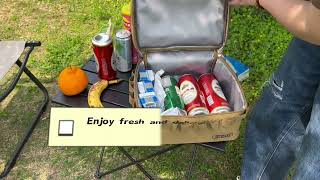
(215, 100)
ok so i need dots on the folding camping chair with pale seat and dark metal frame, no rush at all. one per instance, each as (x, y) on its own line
(10, 54)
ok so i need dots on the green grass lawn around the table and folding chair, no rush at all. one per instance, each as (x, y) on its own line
(66, 28)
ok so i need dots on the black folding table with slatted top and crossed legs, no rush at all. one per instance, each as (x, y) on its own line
(117, 96)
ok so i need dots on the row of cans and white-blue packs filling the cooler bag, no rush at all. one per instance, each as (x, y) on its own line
(184, 95)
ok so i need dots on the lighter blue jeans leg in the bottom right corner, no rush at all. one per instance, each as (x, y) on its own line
(308, 161)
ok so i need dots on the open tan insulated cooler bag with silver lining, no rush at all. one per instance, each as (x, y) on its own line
(187, 37)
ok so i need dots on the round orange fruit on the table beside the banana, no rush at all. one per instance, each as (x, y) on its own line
(72, 81)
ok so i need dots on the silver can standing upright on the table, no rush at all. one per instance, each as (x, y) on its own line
(123, 50)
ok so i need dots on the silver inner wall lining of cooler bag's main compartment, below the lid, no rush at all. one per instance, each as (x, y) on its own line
(197, 63)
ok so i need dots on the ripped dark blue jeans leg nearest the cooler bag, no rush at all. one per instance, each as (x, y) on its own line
(275, 127)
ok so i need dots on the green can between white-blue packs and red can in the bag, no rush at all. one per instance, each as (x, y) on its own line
(172, 99)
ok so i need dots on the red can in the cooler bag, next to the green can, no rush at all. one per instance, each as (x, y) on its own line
(192, 96)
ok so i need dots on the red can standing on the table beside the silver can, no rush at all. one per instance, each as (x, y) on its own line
(103, 50)
